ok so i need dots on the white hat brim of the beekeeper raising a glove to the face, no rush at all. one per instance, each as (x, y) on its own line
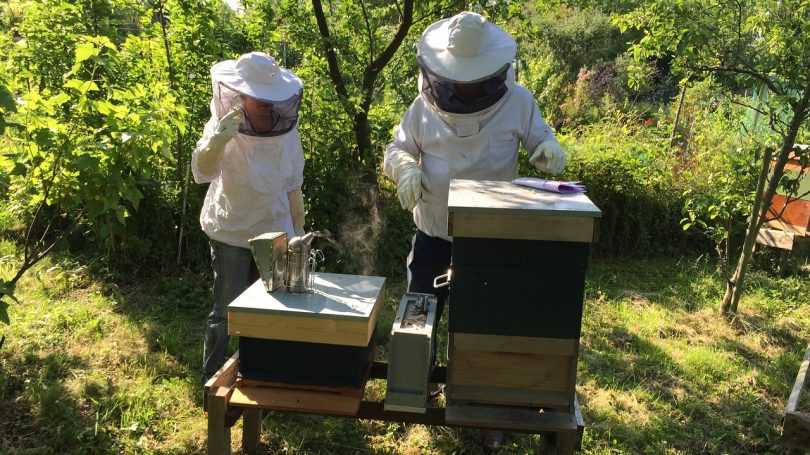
(286, 85)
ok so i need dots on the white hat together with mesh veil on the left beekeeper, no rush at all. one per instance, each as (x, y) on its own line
(257, 75)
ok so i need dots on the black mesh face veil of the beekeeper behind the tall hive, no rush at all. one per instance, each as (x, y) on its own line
(445, 94)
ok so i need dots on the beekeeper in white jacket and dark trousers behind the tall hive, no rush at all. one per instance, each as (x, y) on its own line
(466, 123)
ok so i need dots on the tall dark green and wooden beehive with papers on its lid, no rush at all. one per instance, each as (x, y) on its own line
(516, 293)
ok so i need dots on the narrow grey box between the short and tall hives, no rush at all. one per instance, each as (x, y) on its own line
(410, 353)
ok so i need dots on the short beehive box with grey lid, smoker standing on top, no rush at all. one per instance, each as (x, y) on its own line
(321, 338)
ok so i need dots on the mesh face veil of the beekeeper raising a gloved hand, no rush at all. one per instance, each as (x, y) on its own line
(282, 115)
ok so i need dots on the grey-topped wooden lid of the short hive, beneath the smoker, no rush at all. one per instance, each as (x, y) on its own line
(342, 310)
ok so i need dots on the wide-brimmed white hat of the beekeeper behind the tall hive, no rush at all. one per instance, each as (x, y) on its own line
(466, 48)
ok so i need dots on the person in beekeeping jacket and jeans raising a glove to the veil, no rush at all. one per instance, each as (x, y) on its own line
(251, 155)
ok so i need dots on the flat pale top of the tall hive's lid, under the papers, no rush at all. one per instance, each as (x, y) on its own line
(488, 196)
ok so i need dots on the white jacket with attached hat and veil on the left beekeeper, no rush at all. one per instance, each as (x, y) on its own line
(255, 178)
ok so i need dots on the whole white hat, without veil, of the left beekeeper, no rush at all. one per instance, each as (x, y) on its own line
(257, 75)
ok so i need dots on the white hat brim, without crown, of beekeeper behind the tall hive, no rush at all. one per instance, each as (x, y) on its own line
(500, 50)
